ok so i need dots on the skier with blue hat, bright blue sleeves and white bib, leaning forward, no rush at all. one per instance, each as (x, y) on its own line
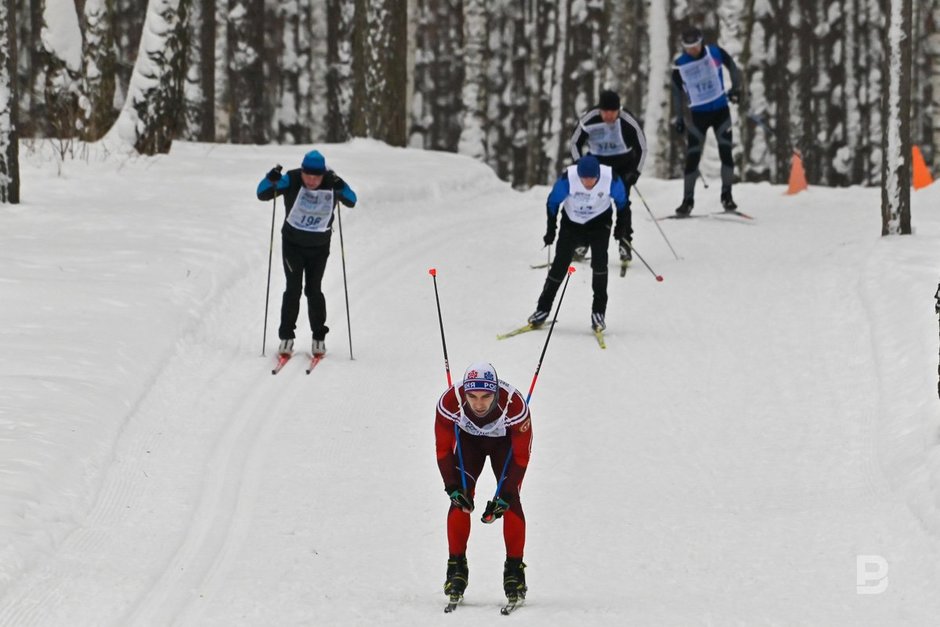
(584, 192)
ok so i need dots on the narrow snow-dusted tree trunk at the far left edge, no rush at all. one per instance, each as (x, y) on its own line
(9, 157)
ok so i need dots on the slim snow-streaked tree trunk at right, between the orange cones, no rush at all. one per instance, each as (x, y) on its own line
(896, 132)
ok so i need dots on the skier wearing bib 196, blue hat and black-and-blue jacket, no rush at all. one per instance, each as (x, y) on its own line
(310, 193)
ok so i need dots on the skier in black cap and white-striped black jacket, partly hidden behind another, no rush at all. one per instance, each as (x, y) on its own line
(615, 137)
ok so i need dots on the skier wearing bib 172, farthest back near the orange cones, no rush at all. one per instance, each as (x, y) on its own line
(697, 74)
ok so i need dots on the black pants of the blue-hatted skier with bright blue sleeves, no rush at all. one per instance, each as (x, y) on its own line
(596, 235)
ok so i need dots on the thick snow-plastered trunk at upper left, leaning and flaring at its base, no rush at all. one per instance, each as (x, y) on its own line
(153, 112)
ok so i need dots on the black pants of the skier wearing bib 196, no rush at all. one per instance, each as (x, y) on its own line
(303, 264)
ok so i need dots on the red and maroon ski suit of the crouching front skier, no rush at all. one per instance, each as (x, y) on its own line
(507, 427)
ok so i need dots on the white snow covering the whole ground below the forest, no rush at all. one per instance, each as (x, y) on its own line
(759, 420)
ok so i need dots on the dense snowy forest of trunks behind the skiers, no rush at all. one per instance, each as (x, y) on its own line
(500, 80)
